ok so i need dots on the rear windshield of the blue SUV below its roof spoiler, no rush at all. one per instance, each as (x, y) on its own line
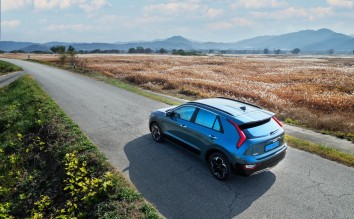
(260, 129)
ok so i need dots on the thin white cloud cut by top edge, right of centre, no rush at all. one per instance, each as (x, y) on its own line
(258, 4)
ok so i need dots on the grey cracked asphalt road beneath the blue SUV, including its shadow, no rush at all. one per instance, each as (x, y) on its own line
(301, 186)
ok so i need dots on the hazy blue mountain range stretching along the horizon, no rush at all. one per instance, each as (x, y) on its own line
(305, 40)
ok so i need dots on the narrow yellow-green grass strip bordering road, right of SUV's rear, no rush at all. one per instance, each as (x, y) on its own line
(323, 151)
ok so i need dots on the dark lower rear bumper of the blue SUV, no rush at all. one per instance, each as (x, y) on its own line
(251, 169)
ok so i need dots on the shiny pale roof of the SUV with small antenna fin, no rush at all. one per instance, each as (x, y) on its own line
(229, 106)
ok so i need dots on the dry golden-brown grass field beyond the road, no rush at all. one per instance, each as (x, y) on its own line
(315, 92)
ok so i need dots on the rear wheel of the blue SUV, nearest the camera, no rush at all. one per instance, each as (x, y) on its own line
(219, 166)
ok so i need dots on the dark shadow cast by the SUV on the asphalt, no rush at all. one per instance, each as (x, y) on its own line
(181, 186)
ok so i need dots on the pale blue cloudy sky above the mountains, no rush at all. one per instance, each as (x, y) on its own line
(202, 20)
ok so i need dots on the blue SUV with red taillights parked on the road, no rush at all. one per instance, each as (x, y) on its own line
(230, 135)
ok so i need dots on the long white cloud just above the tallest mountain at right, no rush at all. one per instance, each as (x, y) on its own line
(291, 13)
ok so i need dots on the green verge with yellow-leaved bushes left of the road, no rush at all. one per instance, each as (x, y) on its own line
(50, 169)
